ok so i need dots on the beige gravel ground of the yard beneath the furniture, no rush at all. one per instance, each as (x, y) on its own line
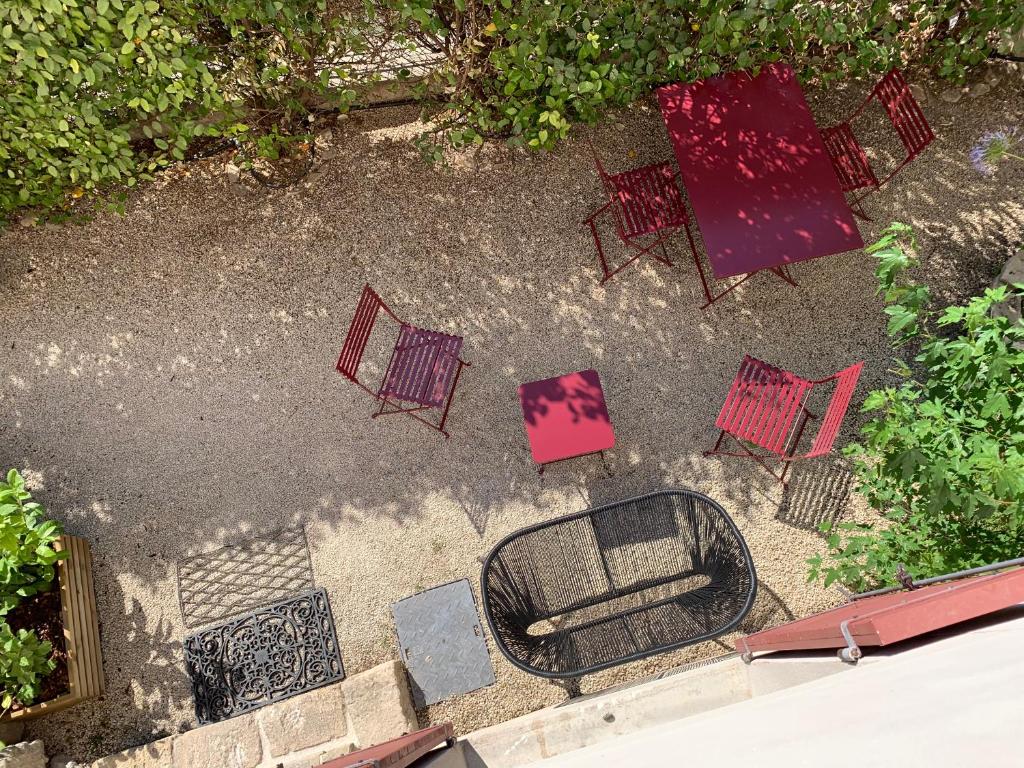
(168, 379)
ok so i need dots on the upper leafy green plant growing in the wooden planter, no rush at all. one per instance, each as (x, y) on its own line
(27, 554)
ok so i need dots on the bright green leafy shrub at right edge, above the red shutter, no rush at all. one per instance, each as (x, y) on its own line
(944, 458)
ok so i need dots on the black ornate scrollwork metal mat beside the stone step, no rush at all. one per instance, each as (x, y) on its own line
(273, 654)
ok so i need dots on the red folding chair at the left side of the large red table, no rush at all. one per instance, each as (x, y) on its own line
(648, 207)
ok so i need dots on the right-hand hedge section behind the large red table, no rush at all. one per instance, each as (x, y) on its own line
(530, 69)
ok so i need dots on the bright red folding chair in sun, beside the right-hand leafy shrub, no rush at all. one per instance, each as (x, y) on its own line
(767, 409)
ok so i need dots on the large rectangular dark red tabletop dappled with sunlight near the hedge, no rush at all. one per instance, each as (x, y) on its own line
(756, 172)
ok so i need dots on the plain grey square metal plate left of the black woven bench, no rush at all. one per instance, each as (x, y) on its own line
(442, 644)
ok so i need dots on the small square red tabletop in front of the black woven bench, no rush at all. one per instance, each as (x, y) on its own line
(566, 417)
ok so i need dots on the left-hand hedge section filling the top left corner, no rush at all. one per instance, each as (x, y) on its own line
(107, 92)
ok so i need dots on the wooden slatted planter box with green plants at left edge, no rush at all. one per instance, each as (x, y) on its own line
(50, 633)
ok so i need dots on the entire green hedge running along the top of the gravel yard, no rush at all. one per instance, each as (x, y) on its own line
(104, 92)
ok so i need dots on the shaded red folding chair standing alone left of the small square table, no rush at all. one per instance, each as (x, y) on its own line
(423, 370)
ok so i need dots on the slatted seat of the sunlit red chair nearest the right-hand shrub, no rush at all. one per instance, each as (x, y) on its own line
(764, 406)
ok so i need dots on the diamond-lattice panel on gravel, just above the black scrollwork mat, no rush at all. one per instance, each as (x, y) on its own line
(218, 585)
